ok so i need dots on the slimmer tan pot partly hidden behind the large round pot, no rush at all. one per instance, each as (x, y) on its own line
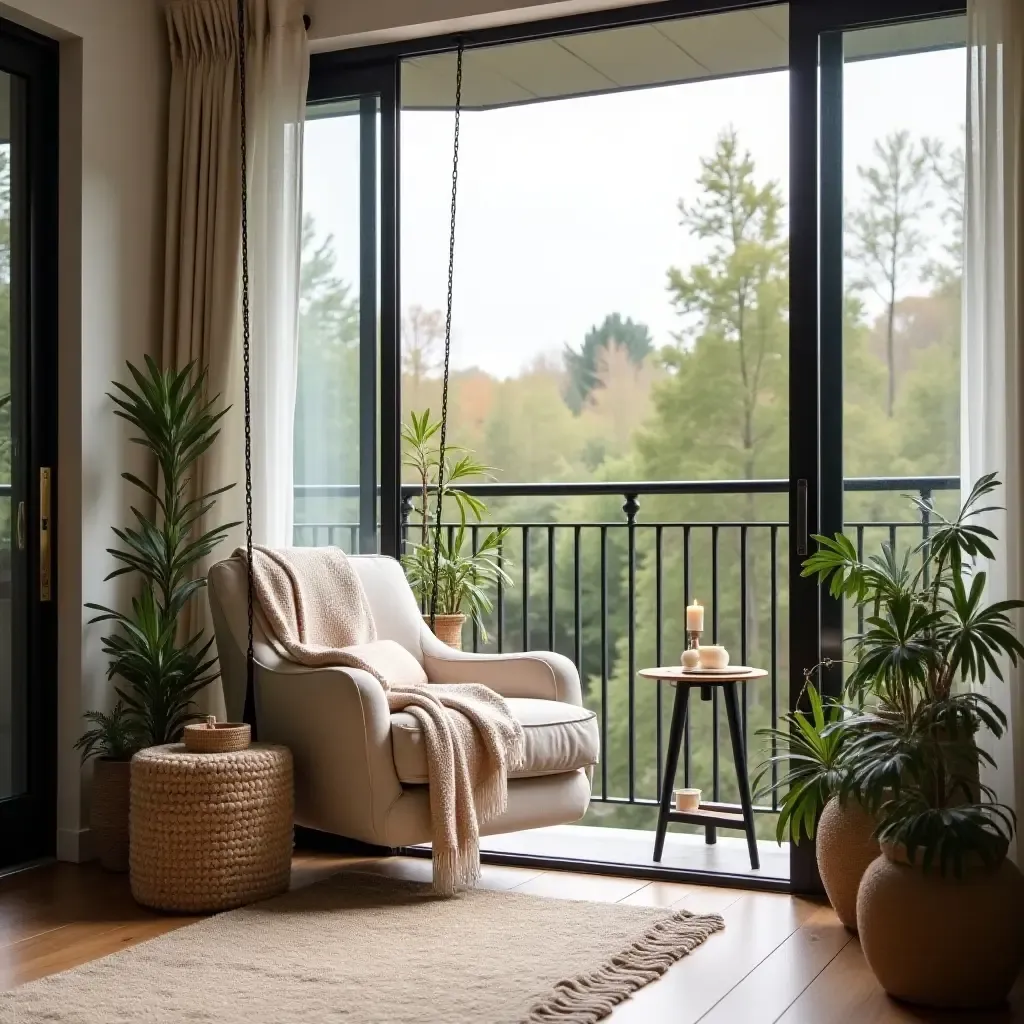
(845, 849)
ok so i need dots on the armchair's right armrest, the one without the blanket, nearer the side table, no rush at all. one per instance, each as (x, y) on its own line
(534, 674)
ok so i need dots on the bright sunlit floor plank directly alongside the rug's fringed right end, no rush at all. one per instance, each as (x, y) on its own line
(755, 926)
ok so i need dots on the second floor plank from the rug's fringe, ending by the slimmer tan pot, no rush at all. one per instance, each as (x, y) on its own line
(779, 980)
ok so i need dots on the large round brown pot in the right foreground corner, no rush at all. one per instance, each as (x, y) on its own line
(943, 943)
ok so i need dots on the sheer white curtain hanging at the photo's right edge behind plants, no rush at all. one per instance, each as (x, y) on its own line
(993, 361)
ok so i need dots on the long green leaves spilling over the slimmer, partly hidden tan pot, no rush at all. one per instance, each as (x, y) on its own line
(813, 762)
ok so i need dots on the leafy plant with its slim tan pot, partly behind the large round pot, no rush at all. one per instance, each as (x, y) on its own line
(815, 803)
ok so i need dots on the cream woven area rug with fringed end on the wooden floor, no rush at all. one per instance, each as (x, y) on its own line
(361, 949)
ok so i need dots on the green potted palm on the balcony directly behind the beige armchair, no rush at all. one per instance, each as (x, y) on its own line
(466, 574)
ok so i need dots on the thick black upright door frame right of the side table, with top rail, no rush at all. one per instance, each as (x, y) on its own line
(817, 301)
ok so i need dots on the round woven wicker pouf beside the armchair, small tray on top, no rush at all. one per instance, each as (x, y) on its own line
(210, 832)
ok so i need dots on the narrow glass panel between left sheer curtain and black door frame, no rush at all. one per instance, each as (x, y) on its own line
(338, 325)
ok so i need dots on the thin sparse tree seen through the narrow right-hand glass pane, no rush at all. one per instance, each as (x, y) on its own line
(886, 240)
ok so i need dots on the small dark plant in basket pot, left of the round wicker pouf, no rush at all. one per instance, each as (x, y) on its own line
(111, 744)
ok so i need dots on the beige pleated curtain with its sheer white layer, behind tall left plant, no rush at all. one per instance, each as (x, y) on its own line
(202, 310)
